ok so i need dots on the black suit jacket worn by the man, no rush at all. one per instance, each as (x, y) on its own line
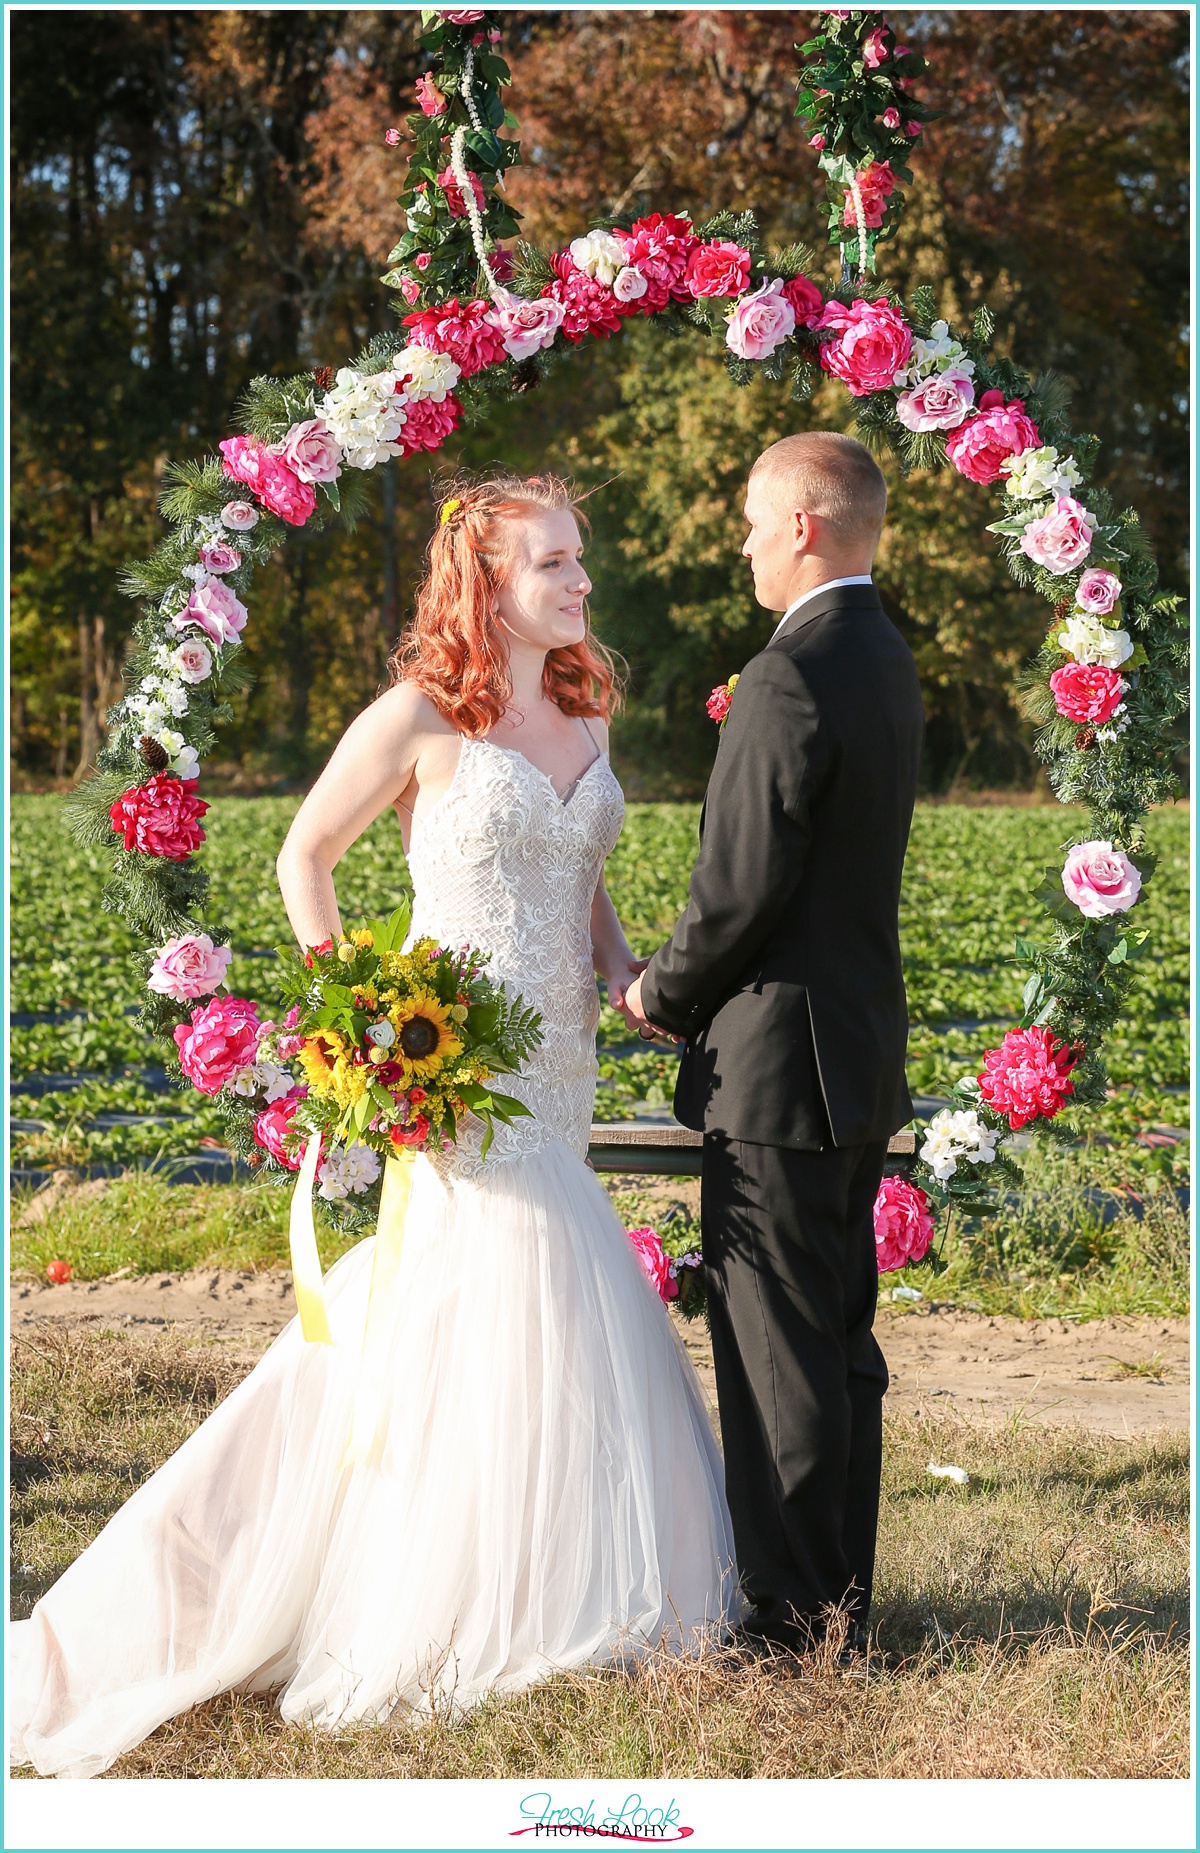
(784, 972)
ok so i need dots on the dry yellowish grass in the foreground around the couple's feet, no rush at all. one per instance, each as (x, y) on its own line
(1027, 1626)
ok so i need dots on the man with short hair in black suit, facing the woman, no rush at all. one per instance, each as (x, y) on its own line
(784, 981)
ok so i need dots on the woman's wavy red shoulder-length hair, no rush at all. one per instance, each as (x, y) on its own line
(453, 649)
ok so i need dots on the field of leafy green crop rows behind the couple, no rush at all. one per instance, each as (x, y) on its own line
(968, 896)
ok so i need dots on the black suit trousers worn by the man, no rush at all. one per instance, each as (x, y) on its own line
(792, 1287)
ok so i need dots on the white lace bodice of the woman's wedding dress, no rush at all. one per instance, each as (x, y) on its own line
(510, 868)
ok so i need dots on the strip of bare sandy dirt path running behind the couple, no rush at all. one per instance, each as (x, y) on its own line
(1112, 1376)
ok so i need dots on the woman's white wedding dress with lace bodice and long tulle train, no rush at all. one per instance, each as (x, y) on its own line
(549, 1491)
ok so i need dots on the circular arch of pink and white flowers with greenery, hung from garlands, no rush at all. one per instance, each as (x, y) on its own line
(481, 314)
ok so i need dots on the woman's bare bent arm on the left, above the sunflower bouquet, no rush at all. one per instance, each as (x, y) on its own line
(368, 772)
